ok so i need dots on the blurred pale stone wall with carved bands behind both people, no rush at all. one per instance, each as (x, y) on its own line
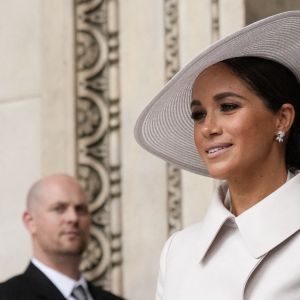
(74, 76)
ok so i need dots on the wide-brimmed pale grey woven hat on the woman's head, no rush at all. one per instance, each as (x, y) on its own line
(165, 127)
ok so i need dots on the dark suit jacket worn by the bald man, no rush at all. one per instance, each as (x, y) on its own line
(34, 285)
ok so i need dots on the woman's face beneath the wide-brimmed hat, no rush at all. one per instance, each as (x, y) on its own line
(234, 131)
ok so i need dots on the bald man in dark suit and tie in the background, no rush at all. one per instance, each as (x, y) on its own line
(58, 221)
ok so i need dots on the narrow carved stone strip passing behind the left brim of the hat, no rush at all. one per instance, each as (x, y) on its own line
(174, 192)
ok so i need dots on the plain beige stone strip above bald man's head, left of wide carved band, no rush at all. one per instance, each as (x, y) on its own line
(57, 86)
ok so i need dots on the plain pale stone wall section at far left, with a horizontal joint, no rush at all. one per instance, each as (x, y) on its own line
(20, 104)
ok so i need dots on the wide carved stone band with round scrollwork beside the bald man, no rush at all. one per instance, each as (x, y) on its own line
(98, 136)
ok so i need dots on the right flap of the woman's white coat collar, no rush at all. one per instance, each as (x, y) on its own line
(272, 220)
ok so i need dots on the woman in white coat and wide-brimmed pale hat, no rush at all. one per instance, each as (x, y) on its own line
(243, 96)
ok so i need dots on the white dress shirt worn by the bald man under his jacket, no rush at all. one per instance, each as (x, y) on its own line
(64, 283)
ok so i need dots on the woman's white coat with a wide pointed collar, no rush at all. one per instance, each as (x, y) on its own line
(255, 256)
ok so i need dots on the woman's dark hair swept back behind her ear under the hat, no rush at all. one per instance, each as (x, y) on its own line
(276, 85)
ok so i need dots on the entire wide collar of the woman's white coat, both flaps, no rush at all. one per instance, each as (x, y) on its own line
(263, 226)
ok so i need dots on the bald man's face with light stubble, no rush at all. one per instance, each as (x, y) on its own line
(60, 220)
